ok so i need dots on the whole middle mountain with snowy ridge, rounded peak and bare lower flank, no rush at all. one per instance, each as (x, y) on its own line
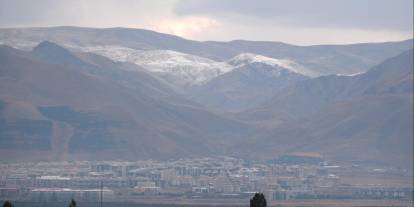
(233, 85)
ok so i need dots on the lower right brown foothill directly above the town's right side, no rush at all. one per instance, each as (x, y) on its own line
(372, 129)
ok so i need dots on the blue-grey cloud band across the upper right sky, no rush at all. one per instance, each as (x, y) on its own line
(362, 14)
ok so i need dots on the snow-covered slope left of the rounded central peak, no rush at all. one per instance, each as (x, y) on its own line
(181, 68)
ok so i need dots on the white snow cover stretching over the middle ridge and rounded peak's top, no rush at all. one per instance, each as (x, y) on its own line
(184, 69)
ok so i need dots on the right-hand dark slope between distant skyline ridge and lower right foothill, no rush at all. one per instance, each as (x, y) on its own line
(393, 76)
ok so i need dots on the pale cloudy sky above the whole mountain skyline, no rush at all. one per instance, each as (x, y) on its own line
(294, 21)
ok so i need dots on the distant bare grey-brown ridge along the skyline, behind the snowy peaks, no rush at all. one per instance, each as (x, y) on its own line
(322, 59)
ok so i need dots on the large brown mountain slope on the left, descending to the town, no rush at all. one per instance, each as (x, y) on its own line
(48, 107)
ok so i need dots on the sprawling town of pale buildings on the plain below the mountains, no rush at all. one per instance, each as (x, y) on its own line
(288, 177)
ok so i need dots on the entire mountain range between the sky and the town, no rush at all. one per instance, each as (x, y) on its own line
(83, 93)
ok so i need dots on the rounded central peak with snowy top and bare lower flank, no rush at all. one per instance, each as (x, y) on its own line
(249, 84)
